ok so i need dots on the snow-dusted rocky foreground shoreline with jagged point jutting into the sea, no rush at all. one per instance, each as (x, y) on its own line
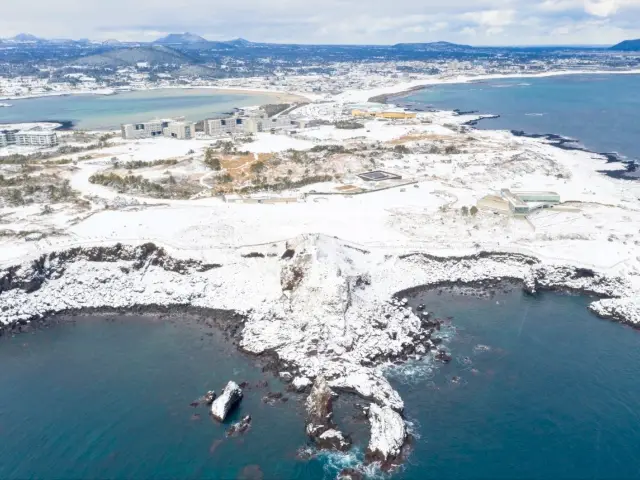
(319, 309)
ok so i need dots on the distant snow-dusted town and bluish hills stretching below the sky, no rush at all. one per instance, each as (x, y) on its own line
(57, 67)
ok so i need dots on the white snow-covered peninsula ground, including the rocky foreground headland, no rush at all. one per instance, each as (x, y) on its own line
(315, 279)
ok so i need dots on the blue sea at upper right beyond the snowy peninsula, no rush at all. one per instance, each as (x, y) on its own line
(601, 111)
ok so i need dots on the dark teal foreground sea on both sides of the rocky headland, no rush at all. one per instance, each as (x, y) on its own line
(555, 396)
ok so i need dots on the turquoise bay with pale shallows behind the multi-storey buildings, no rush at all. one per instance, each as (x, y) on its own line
(106, 112)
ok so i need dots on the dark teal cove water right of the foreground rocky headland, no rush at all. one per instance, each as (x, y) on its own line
(554, 397)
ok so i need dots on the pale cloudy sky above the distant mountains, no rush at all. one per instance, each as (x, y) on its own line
(474, 22)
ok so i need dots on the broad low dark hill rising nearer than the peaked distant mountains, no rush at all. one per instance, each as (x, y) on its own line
(122, 57)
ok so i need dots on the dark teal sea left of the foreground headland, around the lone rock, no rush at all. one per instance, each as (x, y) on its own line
(102, 399)
